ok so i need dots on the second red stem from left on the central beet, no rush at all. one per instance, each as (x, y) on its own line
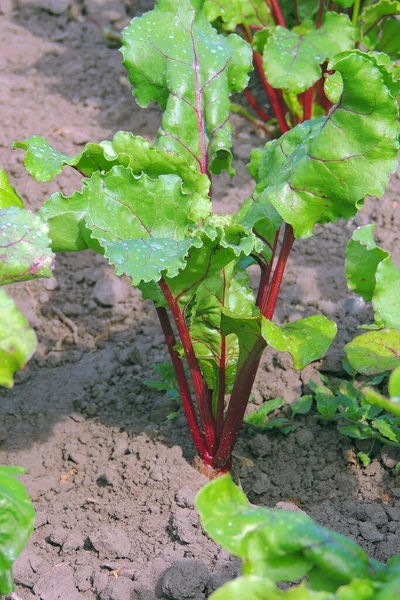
(199, 386)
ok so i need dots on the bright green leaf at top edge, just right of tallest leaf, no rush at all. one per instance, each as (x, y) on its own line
(231, 13)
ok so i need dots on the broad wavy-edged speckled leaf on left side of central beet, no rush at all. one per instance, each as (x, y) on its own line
(141, 236)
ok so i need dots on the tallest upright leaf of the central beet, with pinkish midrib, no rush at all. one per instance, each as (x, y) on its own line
(175, 58)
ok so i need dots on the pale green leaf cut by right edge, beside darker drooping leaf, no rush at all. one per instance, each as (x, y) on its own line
(387, 293)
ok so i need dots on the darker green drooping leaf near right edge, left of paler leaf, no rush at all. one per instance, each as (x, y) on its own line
(362, 258)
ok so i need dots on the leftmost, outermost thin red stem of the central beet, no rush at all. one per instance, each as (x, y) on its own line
(183, 385)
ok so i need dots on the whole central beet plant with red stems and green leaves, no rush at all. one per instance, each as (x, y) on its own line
(148, 208)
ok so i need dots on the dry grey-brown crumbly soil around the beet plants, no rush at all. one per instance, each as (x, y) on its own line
(110, 475)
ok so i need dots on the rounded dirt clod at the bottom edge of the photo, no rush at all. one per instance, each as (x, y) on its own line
(185, 579)
